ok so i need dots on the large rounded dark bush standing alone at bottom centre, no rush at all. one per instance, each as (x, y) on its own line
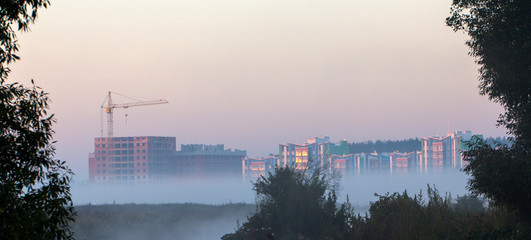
(294, 204)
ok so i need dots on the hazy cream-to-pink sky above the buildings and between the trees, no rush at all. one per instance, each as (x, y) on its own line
(254, 73)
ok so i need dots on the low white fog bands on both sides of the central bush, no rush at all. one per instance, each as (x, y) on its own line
(360, 189)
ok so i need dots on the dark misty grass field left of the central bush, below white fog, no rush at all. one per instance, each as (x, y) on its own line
(160, 221)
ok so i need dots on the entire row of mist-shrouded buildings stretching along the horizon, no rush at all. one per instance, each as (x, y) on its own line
(155, 159)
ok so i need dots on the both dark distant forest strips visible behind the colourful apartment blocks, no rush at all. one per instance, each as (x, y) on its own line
(407, 145)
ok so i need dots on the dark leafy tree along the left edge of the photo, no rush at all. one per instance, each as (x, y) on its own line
(35, 200)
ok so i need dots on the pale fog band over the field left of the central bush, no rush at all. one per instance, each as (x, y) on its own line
(207, 191)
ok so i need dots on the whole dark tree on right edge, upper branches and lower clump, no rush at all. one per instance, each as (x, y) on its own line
(500, 40)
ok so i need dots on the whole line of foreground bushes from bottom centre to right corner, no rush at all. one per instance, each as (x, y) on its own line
(295, 204)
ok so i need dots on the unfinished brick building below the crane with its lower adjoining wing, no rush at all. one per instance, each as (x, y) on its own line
(148, 158)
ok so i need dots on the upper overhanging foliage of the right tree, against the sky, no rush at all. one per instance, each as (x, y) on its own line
(500, 33)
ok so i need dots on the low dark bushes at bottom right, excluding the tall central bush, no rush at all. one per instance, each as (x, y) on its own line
(400, 216)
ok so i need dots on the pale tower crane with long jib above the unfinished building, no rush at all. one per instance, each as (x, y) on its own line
(110, 106)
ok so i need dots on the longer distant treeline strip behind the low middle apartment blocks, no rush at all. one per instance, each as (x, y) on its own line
(407, 145)
